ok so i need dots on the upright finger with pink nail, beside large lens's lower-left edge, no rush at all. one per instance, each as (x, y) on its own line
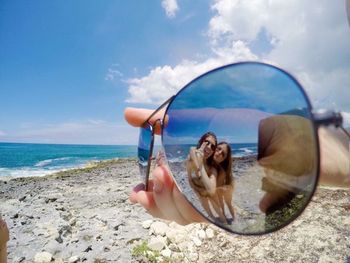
(163, 187)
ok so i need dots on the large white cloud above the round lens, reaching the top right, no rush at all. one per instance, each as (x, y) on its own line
(310, 39)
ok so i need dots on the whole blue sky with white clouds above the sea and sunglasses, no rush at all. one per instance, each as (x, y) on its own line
(69, 68)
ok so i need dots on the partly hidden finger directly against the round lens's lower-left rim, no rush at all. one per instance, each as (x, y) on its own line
(187, 211)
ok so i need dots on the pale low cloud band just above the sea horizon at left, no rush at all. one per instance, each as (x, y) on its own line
(81, 132)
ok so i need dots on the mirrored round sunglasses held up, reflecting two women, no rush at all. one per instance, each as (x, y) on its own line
(266, 118)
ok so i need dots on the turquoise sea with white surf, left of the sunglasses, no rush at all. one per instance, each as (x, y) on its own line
(26, 159)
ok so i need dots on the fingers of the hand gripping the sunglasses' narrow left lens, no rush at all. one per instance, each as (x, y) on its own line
(163, 199)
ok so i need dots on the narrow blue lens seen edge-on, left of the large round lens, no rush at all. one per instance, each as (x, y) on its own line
(144, 148)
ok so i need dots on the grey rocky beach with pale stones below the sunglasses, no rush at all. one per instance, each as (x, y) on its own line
(84, 215)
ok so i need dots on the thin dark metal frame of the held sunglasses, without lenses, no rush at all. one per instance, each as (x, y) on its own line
(318, 118)
